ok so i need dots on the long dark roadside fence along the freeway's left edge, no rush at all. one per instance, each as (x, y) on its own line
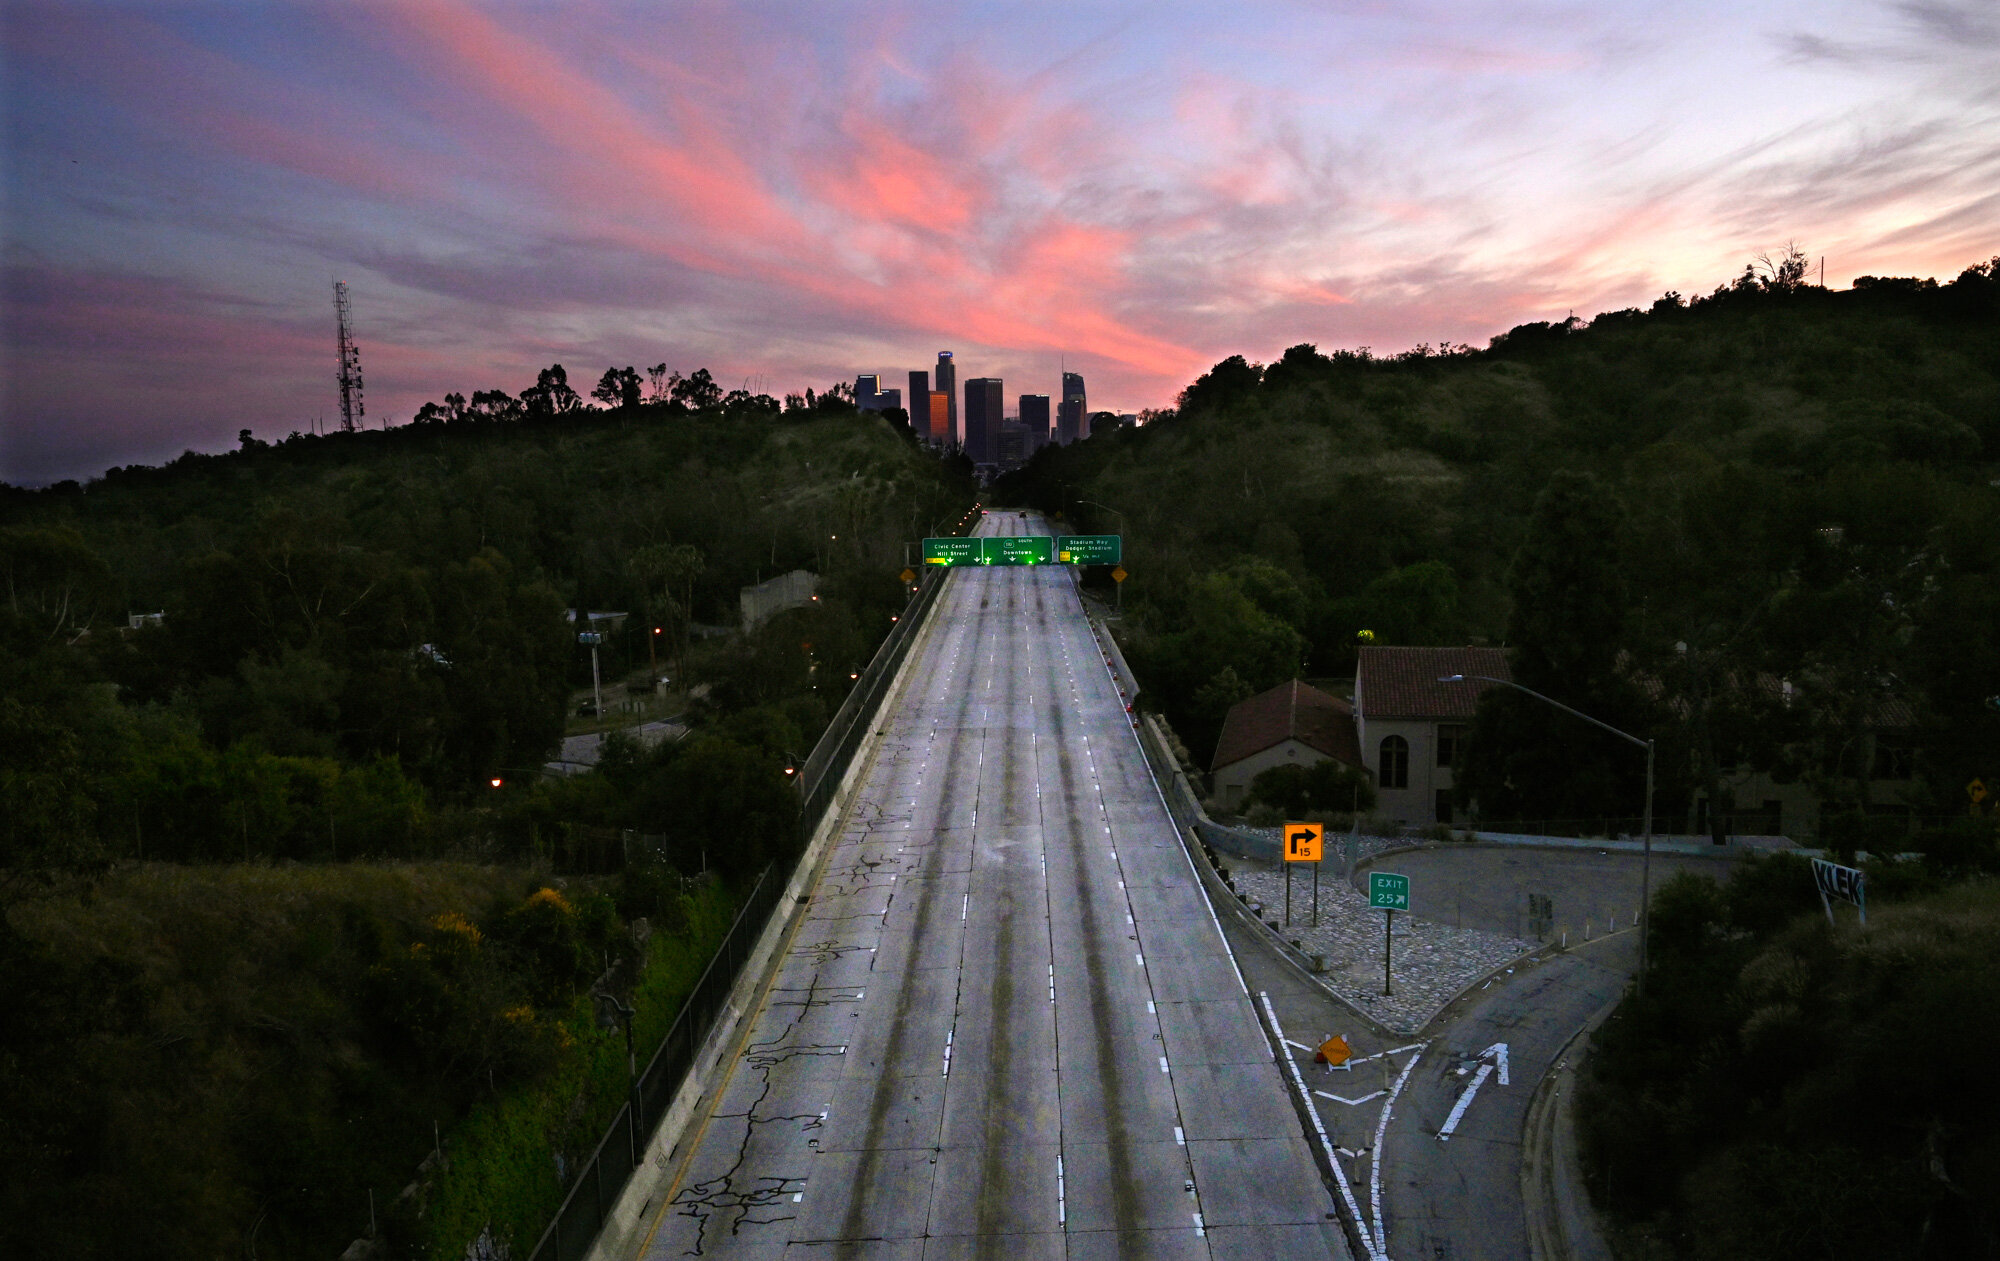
(611, 1166)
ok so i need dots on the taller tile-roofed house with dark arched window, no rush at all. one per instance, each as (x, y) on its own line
(1411, 726)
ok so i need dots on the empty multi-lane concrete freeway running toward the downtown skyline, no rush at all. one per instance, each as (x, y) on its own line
(1009, 1024)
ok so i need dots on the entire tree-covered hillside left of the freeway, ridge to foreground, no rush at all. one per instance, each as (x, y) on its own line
(287, 904)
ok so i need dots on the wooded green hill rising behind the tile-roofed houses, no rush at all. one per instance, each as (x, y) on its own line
(1661, 513)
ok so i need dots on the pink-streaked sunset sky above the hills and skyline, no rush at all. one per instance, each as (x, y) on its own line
(797, 193)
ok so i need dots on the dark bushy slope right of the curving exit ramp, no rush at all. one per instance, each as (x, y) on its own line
(1795, 1092)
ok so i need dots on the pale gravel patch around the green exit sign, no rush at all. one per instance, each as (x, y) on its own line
(1431, 964)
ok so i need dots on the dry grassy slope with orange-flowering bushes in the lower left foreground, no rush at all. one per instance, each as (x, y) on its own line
(229, 1062)
